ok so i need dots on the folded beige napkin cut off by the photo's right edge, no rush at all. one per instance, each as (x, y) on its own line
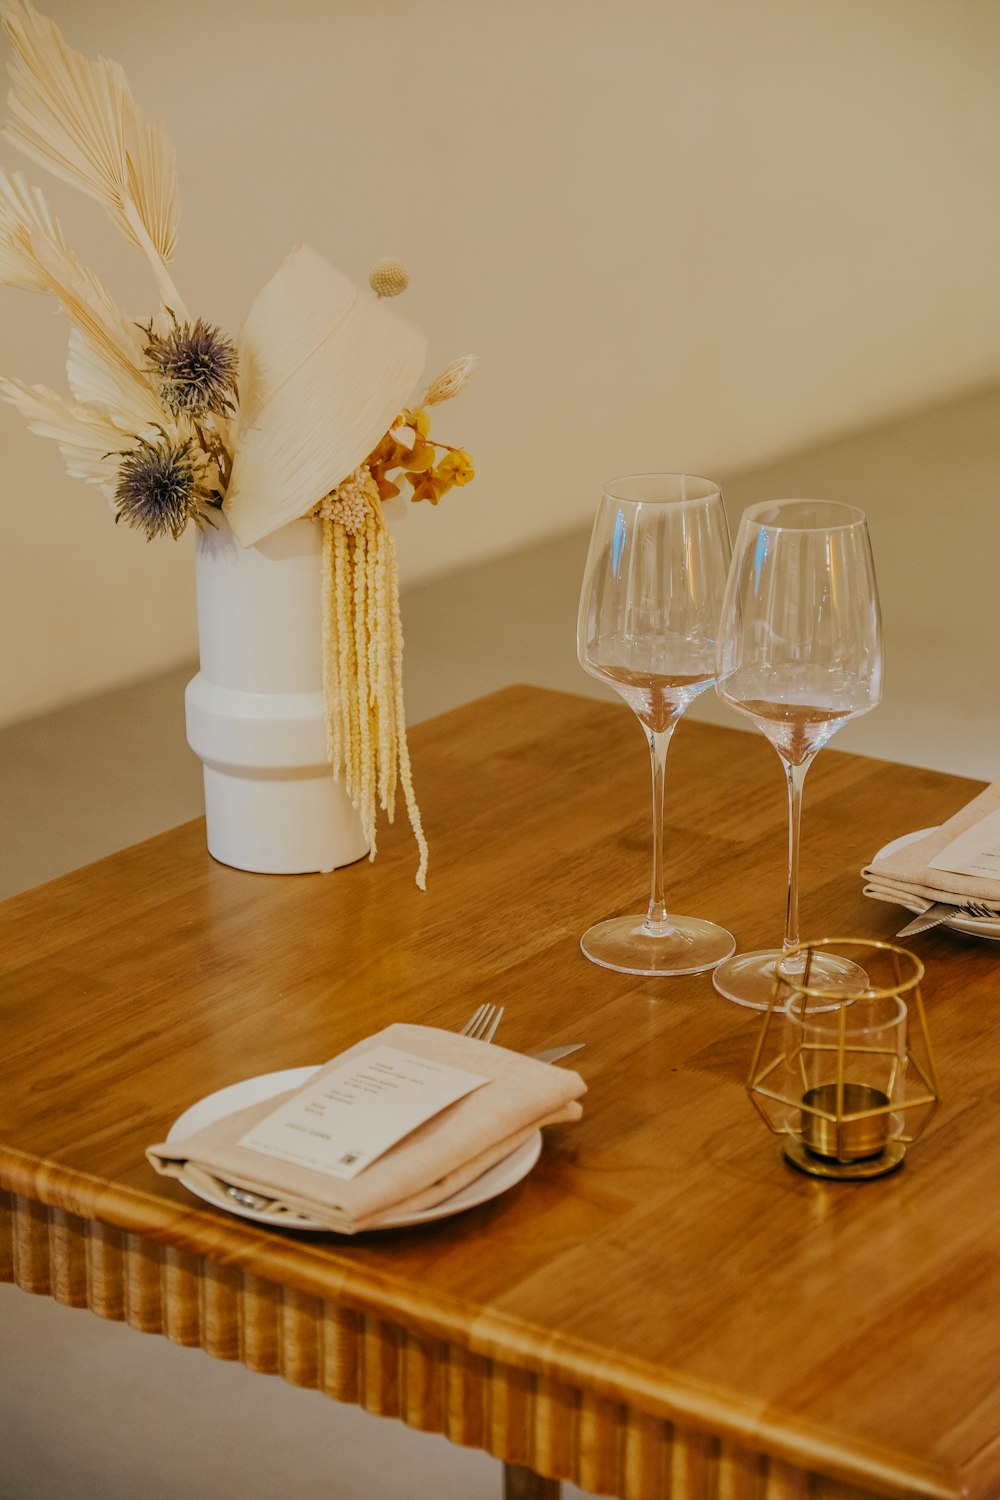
(908, 880)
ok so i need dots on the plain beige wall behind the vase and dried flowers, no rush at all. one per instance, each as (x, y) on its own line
(680, 235)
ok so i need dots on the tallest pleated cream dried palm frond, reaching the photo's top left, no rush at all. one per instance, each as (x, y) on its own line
(79, 119)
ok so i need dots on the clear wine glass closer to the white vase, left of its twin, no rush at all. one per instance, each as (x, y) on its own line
(648, 625)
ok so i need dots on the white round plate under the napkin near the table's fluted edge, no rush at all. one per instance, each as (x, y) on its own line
(254, 1091)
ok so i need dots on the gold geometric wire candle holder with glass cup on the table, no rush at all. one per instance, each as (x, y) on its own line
(846, 1076)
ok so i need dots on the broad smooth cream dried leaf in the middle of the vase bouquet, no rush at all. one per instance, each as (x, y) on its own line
(325, 370)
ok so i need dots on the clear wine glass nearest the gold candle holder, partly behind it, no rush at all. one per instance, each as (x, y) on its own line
(800, 655)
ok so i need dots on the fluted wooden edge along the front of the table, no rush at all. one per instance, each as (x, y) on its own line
(545, 1403)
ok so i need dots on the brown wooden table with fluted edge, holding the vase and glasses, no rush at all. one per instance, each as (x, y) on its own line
(663, 1309)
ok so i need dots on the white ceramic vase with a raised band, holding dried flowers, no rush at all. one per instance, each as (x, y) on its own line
(256, 710)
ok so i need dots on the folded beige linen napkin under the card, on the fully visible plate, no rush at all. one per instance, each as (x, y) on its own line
(427, 1168)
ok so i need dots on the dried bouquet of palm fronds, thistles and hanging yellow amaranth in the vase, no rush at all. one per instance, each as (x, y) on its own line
(175, 422)
